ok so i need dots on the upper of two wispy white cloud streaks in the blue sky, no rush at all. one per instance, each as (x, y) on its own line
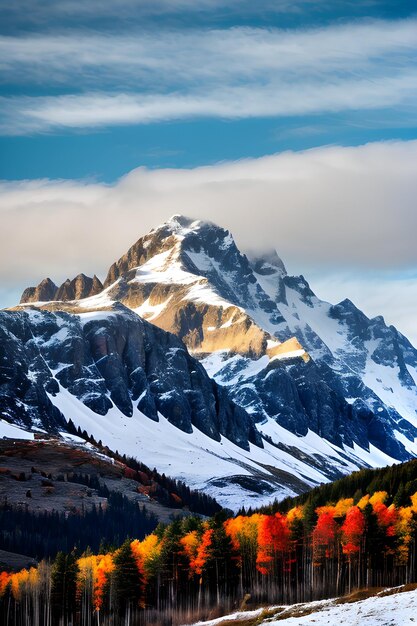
(216, 54)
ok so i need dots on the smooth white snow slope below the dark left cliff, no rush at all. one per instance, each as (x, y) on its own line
(230, 474)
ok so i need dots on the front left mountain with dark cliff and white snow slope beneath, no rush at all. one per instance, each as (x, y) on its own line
(137, 389)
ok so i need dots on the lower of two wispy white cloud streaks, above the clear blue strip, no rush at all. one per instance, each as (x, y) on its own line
(26, 115)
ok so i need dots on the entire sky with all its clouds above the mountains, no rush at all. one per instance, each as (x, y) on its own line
(92, 91)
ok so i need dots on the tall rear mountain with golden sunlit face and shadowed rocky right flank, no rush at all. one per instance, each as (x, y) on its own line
(190, 278)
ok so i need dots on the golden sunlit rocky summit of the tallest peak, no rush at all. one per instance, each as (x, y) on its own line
(190, 279)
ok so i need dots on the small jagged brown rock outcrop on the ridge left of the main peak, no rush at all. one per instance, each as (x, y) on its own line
(81, 286)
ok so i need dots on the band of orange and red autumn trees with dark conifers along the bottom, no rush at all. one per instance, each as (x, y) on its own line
(180, 570)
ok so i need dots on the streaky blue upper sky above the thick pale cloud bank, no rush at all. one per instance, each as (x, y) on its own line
(95, 89)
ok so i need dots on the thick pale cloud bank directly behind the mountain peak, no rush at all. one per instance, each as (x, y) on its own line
(332, 213)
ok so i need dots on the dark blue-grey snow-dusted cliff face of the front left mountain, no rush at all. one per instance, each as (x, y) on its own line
(112, 359)
